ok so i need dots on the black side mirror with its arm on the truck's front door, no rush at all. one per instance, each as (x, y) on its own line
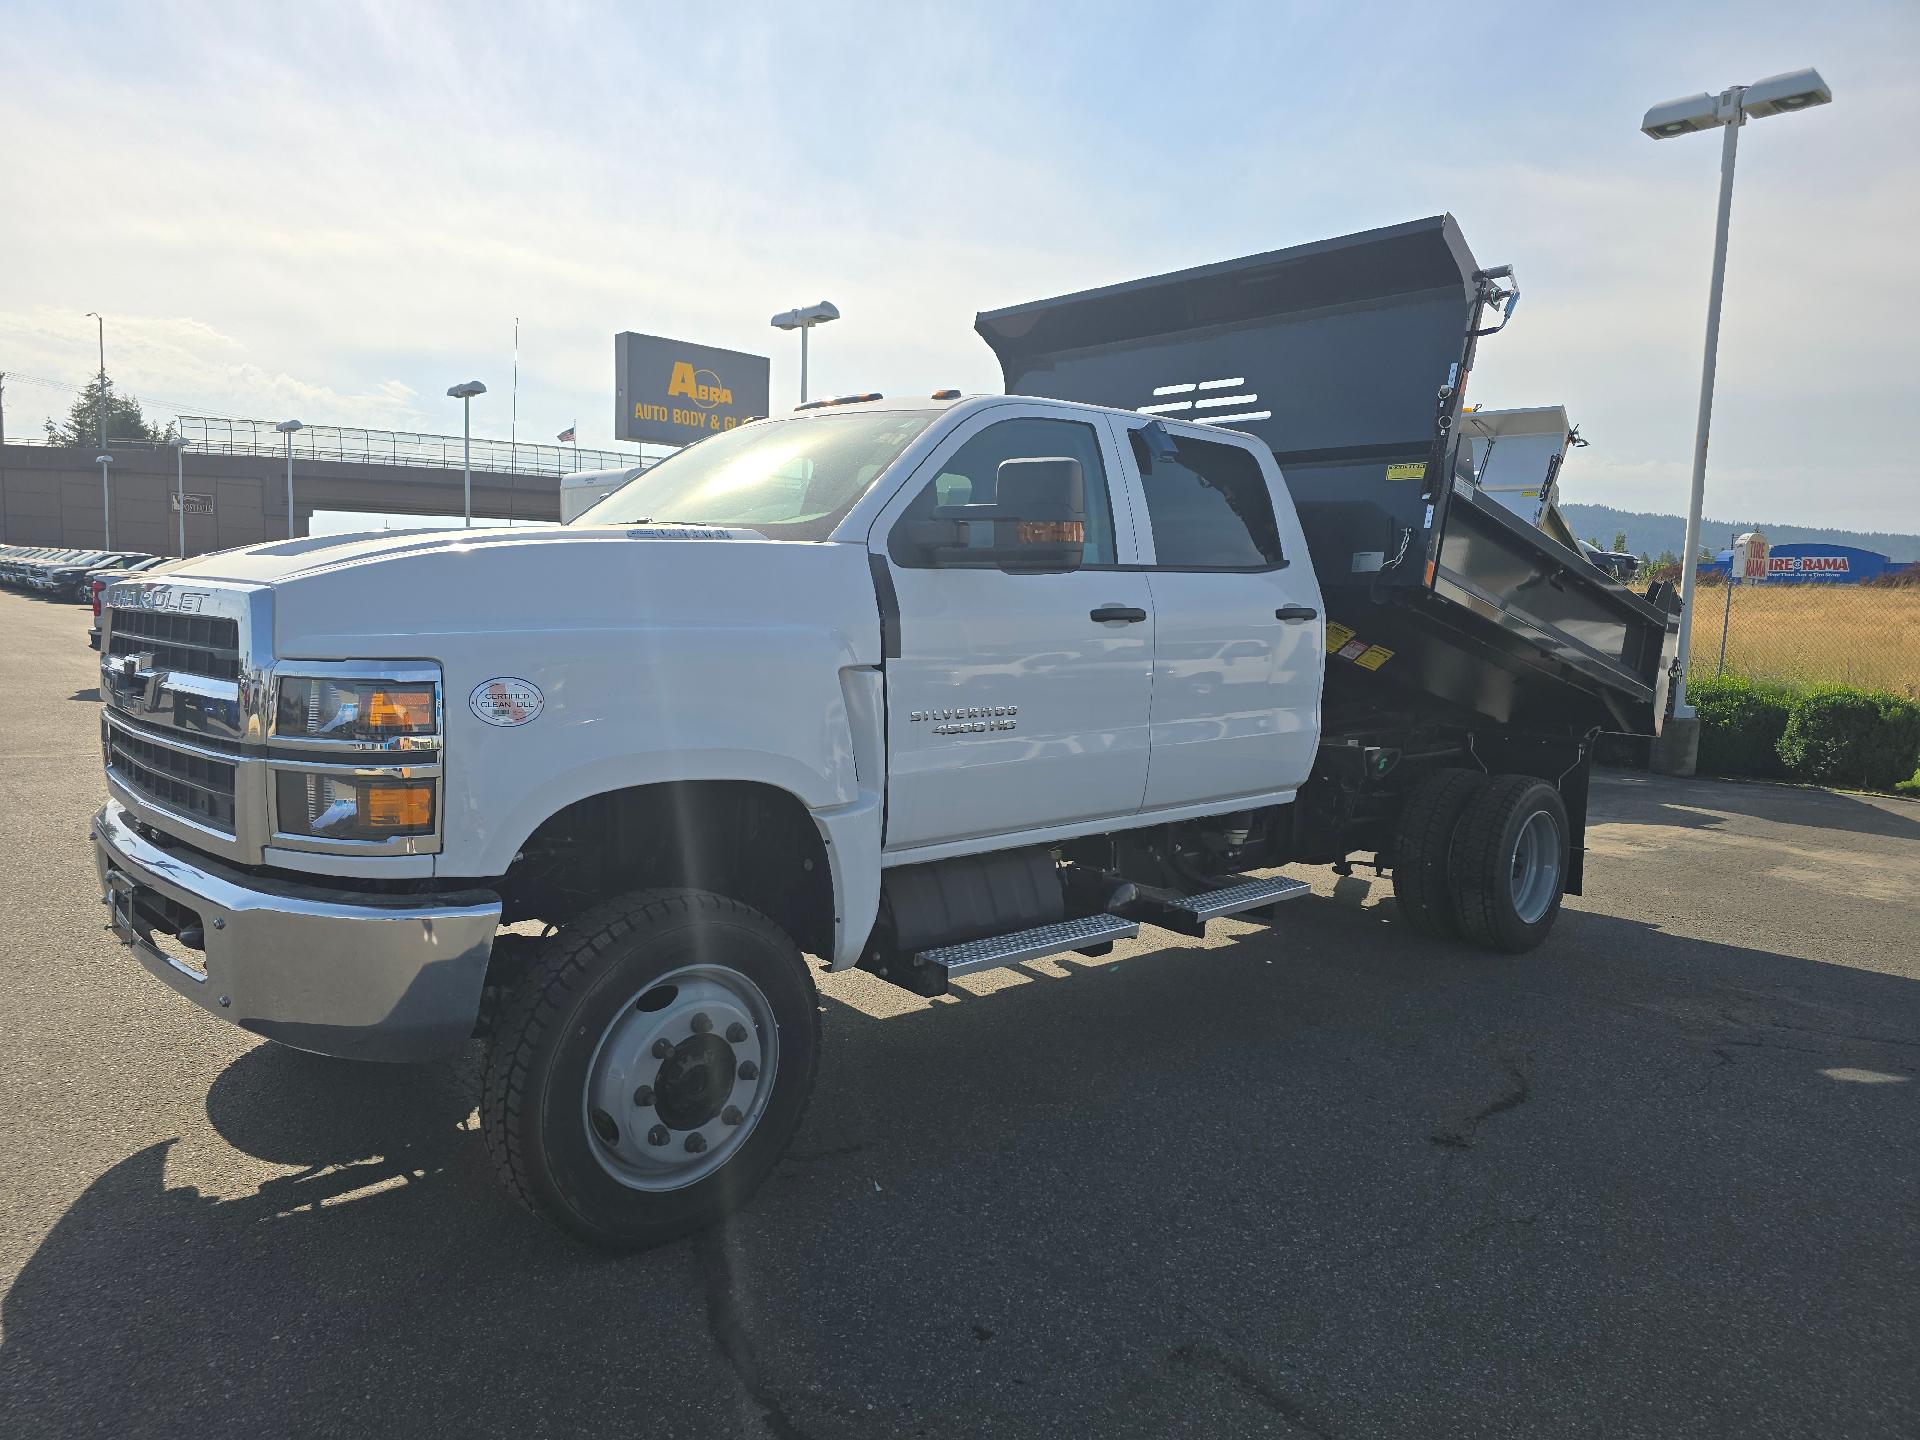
(1036, 521)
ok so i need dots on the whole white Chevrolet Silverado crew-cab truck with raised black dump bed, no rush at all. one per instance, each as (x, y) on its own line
(923, 686)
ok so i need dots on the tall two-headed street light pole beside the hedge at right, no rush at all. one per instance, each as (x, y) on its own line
(1733, 108)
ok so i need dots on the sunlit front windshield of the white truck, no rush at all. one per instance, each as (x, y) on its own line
(790, 479)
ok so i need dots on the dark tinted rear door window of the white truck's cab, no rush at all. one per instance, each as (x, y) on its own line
(1211, 510)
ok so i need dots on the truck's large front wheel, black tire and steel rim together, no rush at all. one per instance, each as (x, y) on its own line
(652, 1067)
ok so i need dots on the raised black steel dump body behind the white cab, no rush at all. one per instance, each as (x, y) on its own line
(1351, 360)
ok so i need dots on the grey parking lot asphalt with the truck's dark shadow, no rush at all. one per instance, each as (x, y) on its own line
(1660, 1178)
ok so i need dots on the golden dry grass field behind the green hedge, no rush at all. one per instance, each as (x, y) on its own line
(1840, 635)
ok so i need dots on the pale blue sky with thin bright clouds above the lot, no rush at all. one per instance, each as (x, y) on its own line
(335, 212)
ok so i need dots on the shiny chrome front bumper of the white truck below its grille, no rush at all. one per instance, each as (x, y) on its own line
(327, 971)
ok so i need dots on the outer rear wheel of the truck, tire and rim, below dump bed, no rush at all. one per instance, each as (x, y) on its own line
(1510, 865)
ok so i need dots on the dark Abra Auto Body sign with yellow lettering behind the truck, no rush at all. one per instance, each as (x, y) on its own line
(673, 393)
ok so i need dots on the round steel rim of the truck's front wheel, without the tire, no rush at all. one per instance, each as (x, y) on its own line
(681, 1078)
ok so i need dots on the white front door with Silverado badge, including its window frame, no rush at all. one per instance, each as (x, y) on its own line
(1019, 702)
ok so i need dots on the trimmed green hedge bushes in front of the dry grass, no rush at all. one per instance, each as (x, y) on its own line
(1823, 734)
